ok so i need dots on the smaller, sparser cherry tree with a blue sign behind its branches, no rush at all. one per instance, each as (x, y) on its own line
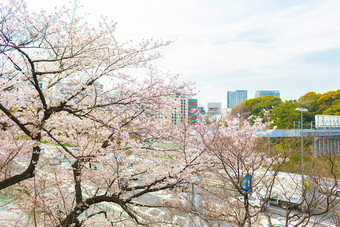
(234, 151)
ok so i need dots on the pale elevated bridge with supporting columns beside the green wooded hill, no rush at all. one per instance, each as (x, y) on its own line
(325, 141)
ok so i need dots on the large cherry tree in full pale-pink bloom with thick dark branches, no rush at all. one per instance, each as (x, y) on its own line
(69, 146)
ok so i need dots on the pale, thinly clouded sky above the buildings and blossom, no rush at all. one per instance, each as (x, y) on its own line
(224, 45)
